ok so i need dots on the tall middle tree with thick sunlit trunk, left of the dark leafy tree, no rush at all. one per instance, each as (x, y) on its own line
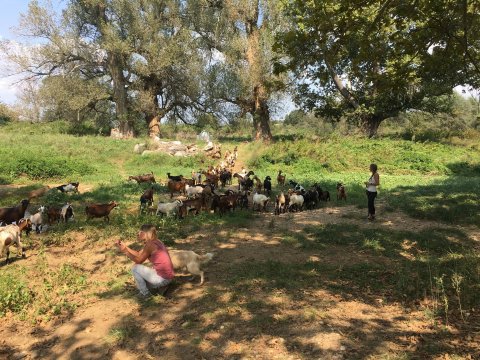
(240, 36)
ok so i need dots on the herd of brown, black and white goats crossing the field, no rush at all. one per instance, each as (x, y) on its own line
(209, 190)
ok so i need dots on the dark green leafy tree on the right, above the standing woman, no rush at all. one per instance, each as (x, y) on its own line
(368, 63)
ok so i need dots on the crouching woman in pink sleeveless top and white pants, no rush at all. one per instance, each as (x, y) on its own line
(154, 250)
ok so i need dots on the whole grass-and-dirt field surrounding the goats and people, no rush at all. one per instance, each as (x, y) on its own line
(317, 284)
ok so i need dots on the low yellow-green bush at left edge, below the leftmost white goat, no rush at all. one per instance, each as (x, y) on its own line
(15, 296)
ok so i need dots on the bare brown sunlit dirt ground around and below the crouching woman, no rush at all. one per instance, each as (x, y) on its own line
(211, 322)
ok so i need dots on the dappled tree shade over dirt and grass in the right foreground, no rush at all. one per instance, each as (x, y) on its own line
(254, 306)
